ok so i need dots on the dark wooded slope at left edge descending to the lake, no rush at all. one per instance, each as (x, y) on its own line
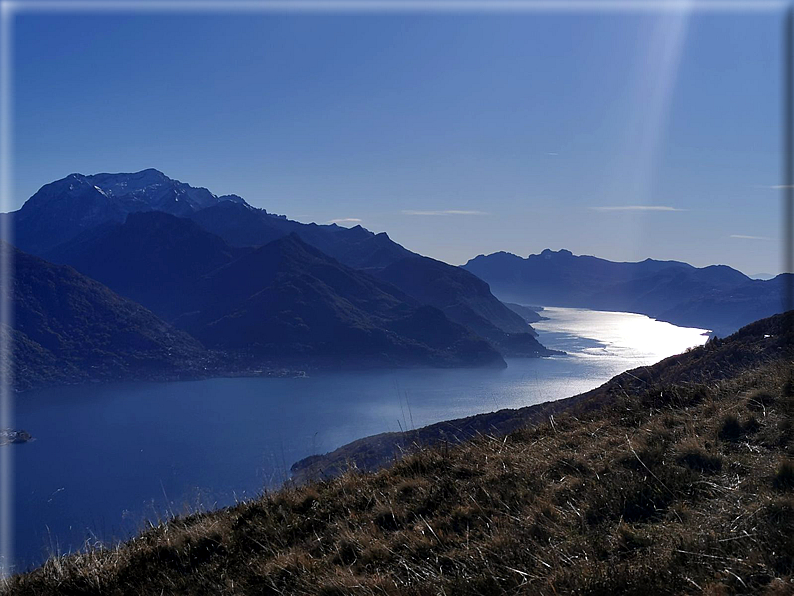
(69, 328)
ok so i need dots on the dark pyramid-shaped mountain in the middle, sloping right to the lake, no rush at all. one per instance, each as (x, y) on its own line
(289, 300)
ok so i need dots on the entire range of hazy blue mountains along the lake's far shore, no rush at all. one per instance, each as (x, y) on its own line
(246, 284)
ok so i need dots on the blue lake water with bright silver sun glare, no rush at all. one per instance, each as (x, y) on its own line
(108, 457)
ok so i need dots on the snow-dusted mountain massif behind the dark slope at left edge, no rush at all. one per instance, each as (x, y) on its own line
(244, 281)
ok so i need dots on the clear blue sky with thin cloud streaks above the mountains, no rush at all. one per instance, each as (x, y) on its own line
(621, 135)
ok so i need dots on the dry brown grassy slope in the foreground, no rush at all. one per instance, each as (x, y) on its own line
(673, 480)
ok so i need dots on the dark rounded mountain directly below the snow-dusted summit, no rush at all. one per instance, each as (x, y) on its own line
(153, 258)
